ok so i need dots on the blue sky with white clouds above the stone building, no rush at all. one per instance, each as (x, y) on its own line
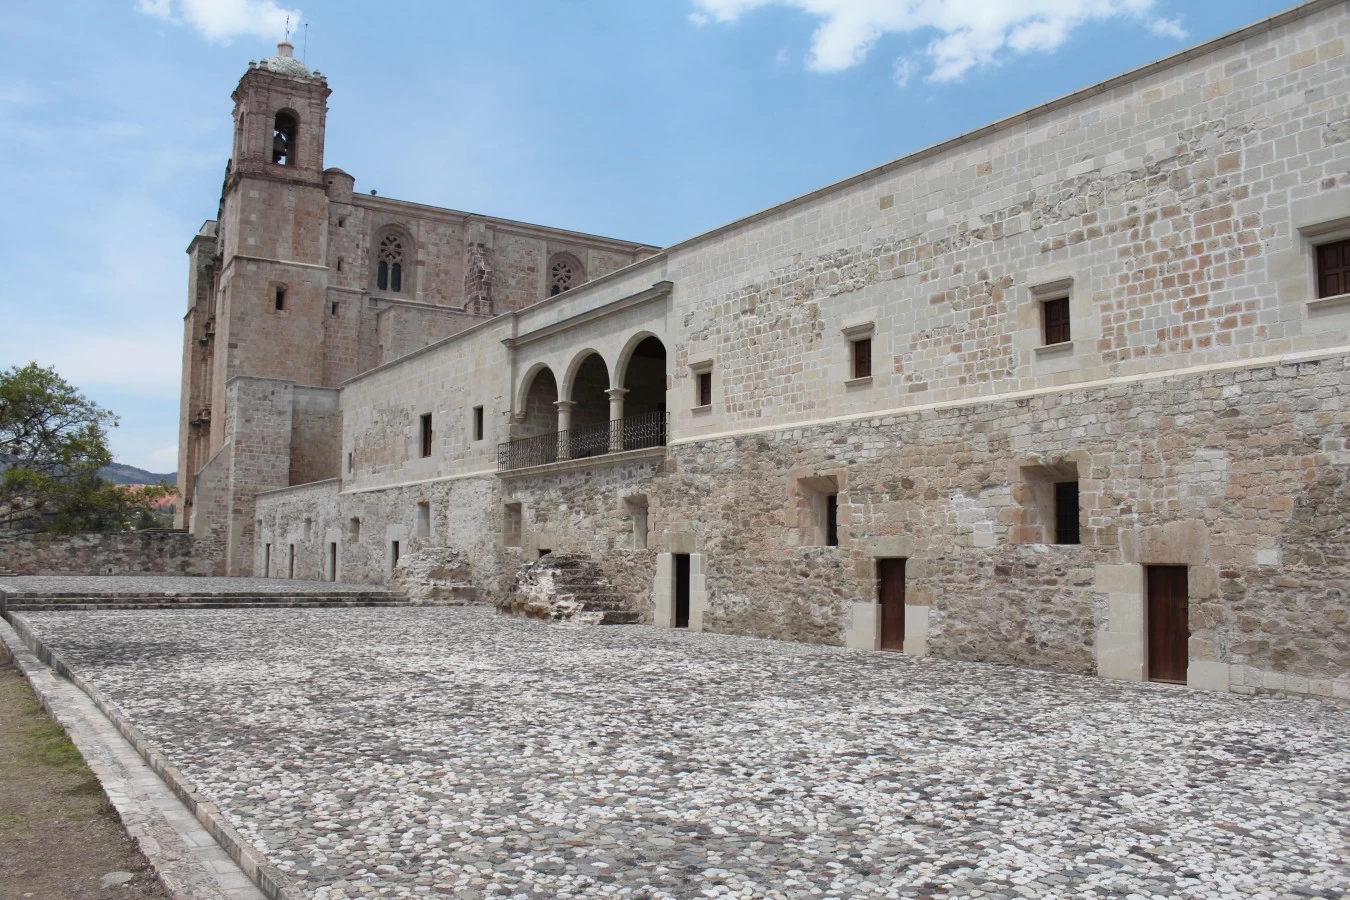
(645, 119)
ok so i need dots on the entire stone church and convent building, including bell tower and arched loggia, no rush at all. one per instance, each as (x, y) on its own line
(1064, 392)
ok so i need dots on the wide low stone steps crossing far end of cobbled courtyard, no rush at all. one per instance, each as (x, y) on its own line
(47, 601)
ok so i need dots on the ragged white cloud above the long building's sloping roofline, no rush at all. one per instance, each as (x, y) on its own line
(969, 33)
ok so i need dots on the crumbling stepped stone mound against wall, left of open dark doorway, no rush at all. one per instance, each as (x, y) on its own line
(561, 588)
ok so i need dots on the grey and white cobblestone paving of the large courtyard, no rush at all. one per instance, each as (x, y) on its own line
(410, 752)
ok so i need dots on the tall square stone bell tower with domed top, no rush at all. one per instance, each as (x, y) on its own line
(259, 331)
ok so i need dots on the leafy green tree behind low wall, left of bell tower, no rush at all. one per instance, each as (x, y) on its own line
(53, 443)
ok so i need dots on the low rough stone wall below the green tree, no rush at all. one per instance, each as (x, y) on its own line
(110, 554)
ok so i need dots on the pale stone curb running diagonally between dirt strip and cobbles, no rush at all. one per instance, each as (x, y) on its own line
(269, 880)
